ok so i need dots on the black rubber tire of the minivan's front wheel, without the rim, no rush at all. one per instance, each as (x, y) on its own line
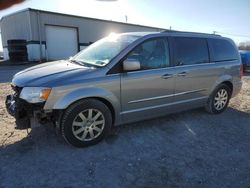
(71, 114)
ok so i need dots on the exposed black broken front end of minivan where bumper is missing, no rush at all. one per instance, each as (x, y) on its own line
(27, 115)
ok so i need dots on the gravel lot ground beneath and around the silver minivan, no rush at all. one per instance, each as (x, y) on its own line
(188, 149)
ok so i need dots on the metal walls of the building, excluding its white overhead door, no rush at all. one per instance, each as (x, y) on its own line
(30, 24)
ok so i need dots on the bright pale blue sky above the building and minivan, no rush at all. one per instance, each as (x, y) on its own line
(229, 18)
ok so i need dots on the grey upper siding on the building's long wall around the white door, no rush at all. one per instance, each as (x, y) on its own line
(89, 30)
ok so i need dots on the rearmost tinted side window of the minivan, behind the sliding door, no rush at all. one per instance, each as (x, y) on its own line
(222, 50)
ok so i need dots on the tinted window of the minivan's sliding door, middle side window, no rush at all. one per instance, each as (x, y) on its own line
(189, 51)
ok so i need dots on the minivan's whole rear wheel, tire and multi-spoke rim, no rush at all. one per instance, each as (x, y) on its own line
(219, 99)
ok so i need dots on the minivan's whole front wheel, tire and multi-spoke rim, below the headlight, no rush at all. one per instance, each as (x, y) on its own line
(86, 123)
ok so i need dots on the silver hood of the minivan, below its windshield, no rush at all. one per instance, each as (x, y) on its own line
(48, 74)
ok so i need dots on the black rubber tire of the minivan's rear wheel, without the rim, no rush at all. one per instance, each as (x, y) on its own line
(210, 105)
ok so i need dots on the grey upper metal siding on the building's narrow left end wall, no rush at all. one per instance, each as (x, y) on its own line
(16, 26)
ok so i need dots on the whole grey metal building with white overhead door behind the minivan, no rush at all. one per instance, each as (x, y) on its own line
(52, 36)
